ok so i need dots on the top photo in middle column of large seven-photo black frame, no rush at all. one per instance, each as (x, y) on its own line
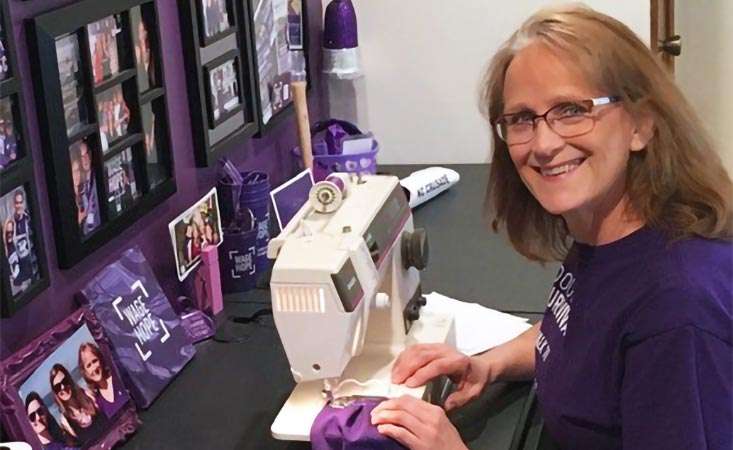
(103, 46)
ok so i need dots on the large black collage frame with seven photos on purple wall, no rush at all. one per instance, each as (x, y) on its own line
(82, 220)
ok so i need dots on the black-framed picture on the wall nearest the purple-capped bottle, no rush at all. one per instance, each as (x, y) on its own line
(277, 43)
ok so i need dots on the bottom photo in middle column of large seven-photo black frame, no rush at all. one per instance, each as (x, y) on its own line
(121, 187)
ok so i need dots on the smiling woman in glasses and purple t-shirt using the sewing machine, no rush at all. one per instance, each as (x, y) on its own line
(600, 162)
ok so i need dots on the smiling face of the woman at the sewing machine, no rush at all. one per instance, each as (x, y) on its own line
(575, 177)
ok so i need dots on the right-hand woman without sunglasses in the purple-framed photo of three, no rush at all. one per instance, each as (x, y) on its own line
(99, 379)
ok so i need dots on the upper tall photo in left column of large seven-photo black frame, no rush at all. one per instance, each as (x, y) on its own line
(71, 80)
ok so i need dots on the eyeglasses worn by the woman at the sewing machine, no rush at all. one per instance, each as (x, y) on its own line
(567, 119)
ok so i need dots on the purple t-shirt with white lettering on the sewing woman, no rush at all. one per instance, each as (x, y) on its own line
(635, 349)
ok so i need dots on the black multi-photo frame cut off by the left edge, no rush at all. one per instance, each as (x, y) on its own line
(16, 176)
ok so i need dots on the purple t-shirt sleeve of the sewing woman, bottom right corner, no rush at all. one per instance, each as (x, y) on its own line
(677, 392)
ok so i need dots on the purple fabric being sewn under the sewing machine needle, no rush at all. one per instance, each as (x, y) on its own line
(349, 428)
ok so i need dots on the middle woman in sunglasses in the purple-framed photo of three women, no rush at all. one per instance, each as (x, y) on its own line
(80, 414)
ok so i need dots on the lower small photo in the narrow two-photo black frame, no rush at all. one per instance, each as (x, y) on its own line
(222, 89)
